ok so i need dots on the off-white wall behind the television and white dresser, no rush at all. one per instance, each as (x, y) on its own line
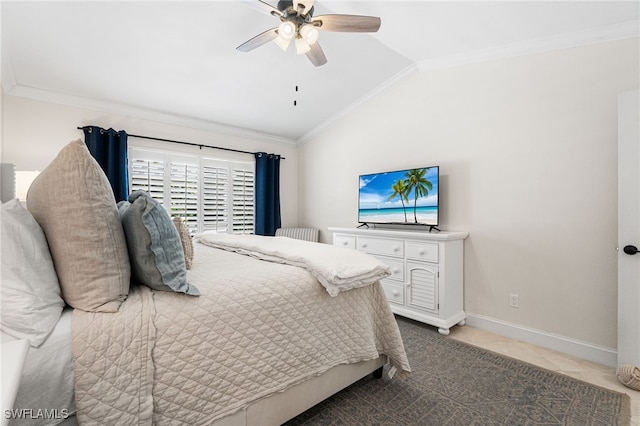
(527, 149)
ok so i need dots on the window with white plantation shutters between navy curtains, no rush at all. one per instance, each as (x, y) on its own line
(210, 194)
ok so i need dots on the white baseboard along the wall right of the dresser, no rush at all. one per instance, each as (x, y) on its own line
(566, 345)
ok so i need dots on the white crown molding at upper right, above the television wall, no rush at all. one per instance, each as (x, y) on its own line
(624, 30)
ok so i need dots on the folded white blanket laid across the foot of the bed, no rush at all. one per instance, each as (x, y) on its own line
(337, 268)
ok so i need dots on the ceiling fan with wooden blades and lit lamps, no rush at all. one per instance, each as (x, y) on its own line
(297, 23)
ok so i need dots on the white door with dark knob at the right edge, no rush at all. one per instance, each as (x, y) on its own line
(629, 228)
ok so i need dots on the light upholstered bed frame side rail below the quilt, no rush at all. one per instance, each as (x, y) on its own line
(282, 406)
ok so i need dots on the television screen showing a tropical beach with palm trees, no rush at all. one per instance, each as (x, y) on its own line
(404, 196)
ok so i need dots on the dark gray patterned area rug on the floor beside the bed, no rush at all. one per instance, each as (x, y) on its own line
(453, 383)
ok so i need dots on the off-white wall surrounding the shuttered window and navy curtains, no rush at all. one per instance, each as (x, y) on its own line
(34, 132)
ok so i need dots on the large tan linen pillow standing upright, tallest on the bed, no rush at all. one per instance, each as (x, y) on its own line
(73, 202)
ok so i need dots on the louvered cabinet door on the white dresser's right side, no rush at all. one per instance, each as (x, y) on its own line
(423, 287)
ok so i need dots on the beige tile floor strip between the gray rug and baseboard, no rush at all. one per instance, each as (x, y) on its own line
(588, 371)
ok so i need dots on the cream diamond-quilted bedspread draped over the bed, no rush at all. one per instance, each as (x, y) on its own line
(258, 328)
